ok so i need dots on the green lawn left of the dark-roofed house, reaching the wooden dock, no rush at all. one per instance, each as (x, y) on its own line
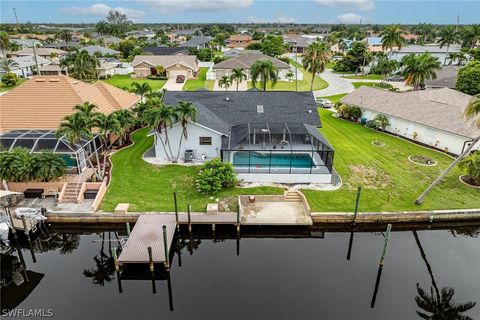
(149, 188)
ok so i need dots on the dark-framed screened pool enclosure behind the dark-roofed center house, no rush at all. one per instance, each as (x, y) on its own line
(277, 147)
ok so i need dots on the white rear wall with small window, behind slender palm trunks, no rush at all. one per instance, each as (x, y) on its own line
(195, 131)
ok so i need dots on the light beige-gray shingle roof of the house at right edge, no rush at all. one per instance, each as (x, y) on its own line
(441, 109)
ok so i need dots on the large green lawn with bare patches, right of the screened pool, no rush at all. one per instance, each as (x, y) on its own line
(391, 182)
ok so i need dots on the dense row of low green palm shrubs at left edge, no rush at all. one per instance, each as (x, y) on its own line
(20, 165)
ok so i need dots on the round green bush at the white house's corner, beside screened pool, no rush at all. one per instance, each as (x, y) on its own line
(214, 176)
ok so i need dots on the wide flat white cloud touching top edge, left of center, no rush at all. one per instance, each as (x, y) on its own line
(196, 5)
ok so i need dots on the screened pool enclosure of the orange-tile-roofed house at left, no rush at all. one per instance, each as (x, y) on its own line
(45, 140)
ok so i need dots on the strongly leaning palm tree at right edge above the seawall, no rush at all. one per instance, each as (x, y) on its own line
(472, 110)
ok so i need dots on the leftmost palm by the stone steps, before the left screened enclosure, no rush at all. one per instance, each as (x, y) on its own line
(74, 128)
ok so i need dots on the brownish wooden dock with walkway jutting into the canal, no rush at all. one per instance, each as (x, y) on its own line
(148, 232)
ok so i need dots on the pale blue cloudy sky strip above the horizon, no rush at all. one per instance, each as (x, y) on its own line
(312, 11)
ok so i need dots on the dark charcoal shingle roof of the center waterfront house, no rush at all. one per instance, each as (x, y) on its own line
(218, 113)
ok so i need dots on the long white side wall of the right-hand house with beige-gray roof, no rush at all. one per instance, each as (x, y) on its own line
(432, 137)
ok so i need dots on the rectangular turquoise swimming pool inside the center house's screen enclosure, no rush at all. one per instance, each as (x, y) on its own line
(277, 160)
